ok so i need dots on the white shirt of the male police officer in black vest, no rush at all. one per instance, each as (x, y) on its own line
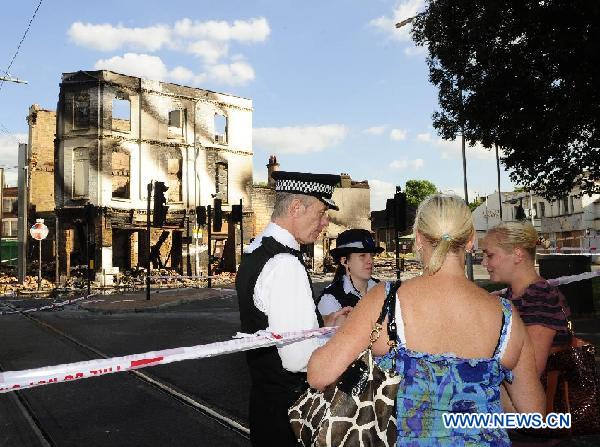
(282, 292)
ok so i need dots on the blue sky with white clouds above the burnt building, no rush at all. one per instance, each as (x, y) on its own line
(335, 87)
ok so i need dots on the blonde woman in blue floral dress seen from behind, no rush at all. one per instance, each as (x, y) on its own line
(457, 344)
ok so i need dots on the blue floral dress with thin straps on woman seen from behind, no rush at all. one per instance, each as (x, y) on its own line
(433, 384)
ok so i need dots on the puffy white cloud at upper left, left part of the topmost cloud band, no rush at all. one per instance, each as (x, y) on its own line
(107, 37)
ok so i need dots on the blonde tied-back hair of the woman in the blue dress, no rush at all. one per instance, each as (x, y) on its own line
(446, 222)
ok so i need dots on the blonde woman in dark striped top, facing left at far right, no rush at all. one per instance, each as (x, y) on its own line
(509, 256)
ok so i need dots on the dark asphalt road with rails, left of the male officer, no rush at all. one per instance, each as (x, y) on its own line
(120, 409)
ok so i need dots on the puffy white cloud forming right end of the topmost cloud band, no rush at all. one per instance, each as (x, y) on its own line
(253, 30)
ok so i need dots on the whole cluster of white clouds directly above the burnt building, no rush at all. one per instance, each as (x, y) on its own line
(210, 41)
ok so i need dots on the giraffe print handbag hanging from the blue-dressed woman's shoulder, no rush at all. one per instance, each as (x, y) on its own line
(360, 408)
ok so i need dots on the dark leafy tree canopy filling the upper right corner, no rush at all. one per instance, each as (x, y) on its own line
(524, 75)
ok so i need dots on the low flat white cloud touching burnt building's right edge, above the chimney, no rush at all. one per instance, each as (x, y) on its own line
(299, 139)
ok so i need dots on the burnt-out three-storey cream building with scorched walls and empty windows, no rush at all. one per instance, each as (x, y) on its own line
(114, 135)
